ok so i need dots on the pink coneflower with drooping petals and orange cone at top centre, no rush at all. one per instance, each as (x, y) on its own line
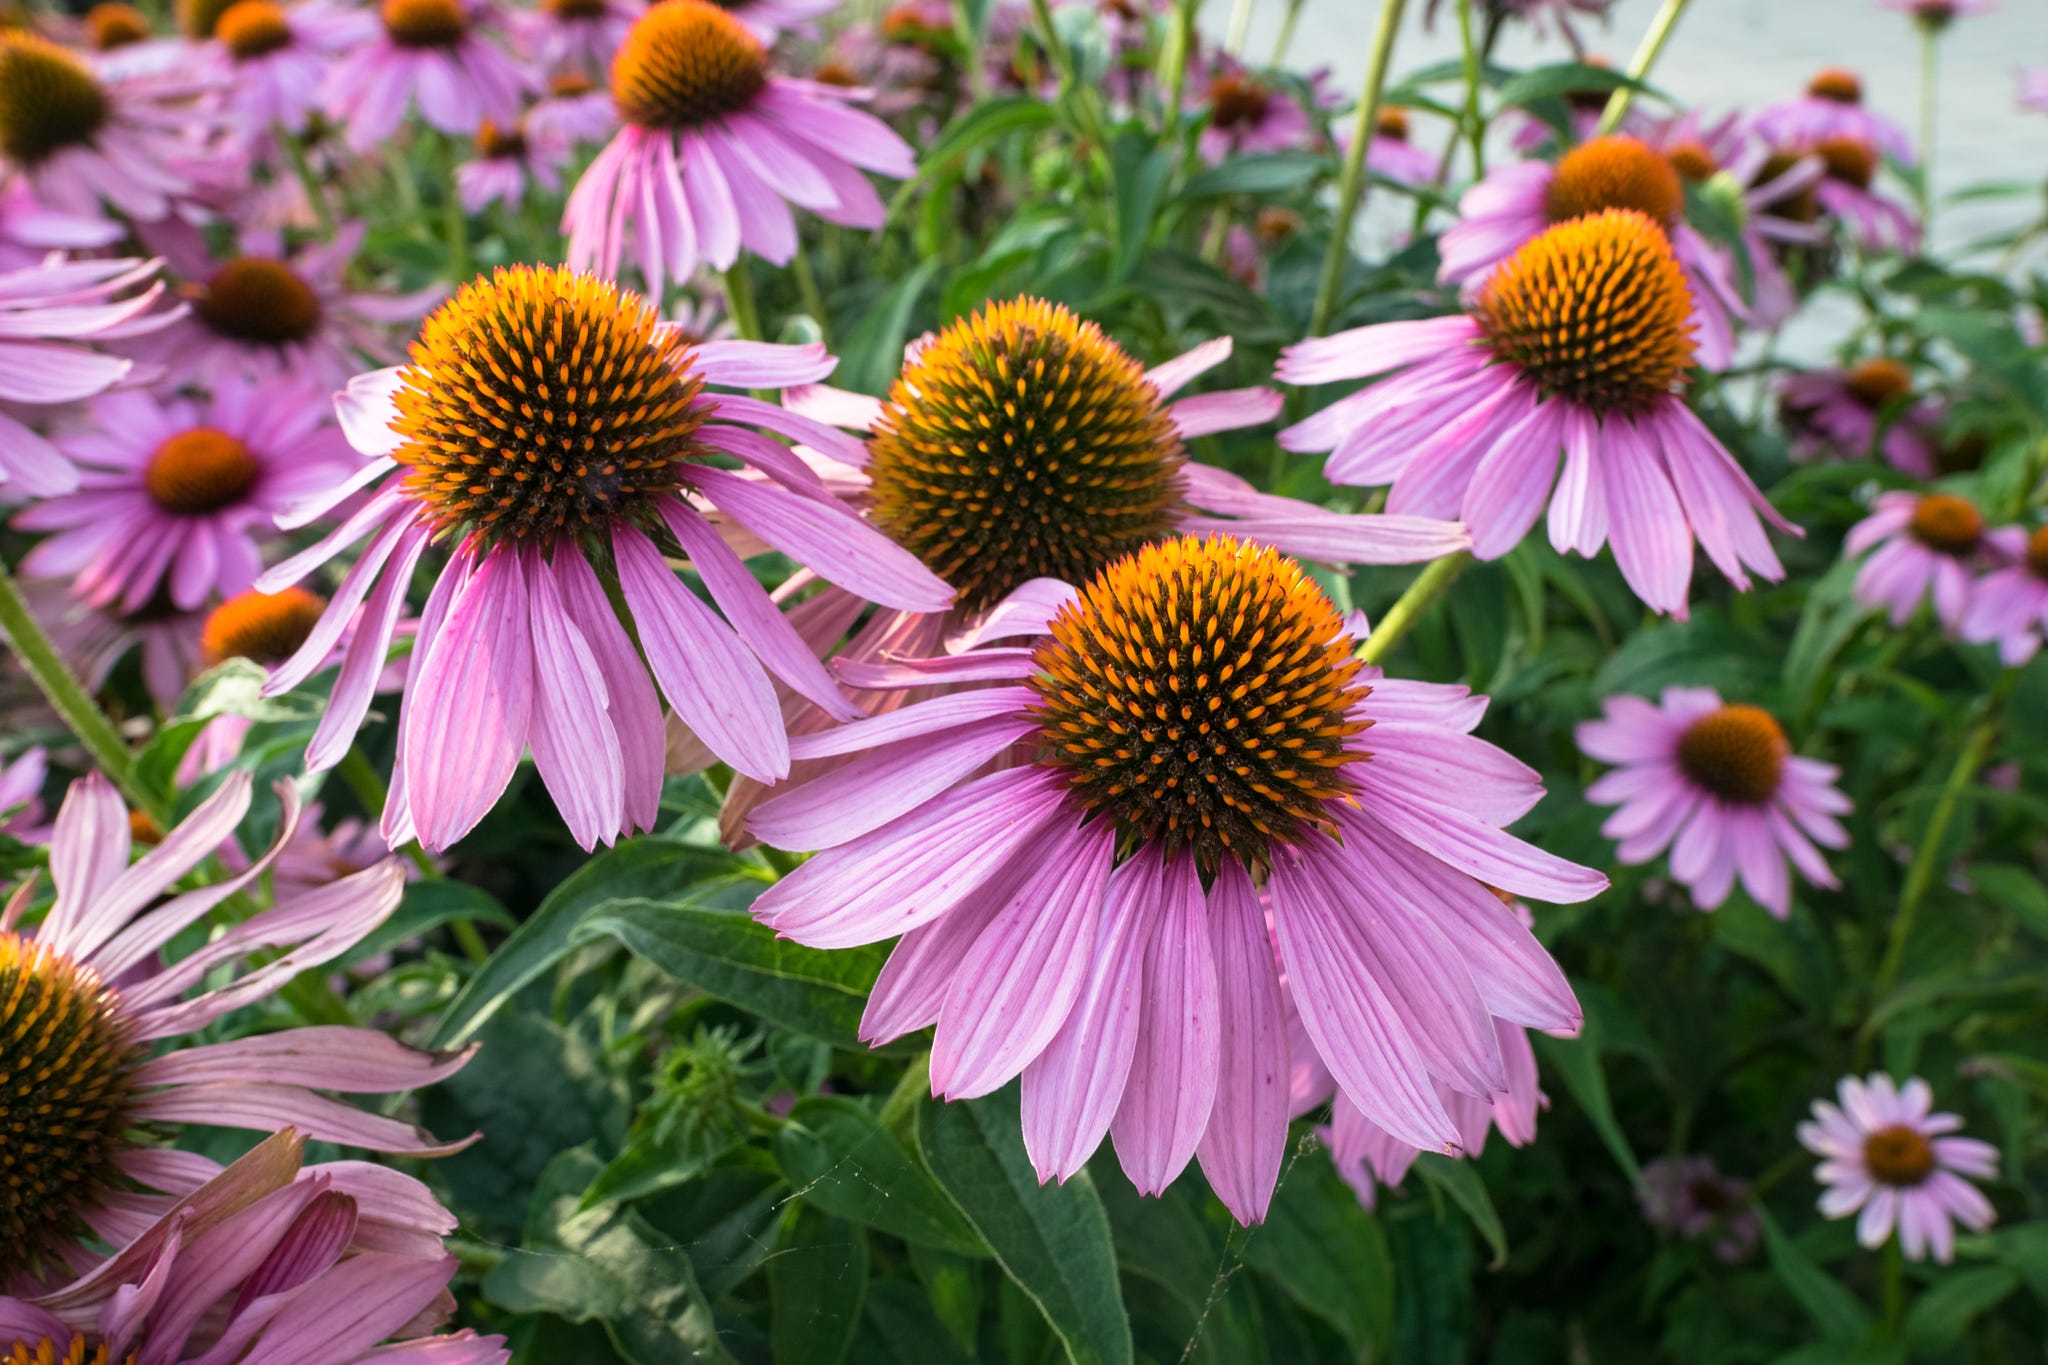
(714, 152)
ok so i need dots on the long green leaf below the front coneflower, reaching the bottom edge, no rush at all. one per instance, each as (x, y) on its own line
(1054, 1241)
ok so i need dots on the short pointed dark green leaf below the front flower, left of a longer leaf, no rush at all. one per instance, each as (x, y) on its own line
(839, 1157)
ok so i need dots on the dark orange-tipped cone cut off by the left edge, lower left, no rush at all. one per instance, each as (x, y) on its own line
(65, 1090)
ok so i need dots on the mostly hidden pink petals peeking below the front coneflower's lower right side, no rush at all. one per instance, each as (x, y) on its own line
(1367, 1155)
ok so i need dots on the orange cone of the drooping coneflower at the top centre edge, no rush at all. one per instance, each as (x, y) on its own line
(687, 62)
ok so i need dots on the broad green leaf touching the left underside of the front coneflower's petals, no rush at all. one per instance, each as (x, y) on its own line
(742, 963)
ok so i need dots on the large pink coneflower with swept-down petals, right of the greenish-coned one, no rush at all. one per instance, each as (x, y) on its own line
(1576, 345)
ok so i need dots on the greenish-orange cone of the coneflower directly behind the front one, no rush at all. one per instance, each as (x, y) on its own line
(1023, 443)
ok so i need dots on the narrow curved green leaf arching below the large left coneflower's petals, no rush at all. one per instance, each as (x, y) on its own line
(642, 867)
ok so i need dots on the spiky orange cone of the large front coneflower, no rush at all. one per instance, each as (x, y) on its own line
(1199, 693)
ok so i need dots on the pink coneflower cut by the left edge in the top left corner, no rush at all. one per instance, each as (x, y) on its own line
(83, 140)
